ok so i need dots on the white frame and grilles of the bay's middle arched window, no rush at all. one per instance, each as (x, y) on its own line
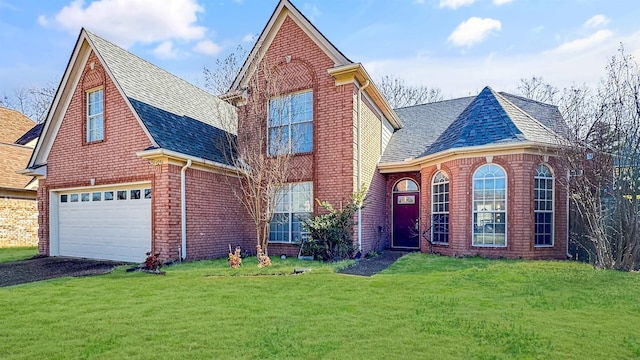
(494, 212)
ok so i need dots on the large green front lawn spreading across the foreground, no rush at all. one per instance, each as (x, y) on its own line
(423, 307)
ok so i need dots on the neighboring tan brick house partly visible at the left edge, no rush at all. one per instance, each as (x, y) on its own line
(18, 205)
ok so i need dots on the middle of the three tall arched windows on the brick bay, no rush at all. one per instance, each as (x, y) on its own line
(490, 206)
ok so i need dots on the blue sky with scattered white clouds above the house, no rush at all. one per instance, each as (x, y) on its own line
(459, 46)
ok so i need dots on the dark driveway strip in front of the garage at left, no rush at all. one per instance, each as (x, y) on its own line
(37, 269)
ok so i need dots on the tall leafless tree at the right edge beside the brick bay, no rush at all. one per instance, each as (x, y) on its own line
(604, 164)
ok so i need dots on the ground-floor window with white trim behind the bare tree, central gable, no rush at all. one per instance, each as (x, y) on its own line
(294, 204)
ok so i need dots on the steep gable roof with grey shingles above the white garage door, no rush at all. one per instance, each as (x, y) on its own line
(174, 114)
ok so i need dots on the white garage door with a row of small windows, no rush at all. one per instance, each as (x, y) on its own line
(108, 223)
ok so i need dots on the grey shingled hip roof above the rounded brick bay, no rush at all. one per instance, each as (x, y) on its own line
(488, 118)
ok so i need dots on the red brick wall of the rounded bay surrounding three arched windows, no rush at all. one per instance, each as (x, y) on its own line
(520, 215)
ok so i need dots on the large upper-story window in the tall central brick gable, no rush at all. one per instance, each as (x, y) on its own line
(291, 123)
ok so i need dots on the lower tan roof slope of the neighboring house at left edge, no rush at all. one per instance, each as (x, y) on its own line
(14, 157)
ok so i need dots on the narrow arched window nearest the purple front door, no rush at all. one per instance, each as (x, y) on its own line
(440, 208)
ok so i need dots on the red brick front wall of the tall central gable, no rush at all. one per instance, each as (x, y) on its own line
(330, 166)
